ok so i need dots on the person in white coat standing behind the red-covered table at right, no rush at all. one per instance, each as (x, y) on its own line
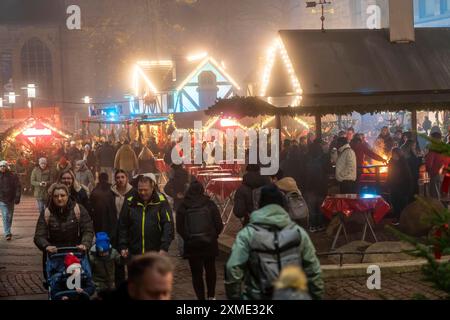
(346, 167)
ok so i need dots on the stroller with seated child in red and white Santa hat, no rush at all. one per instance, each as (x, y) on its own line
(69, 275)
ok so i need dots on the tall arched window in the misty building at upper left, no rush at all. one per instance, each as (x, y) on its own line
(36, 64)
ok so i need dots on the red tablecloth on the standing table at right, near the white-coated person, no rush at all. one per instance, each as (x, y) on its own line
(350, 205)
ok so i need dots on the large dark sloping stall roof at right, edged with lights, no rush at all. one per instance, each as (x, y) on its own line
(342, 71)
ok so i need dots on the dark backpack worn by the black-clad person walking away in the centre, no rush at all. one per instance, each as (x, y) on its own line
(200, 229)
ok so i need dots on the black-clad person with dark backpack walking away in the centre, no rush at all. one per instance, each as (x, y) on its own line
(199, 224)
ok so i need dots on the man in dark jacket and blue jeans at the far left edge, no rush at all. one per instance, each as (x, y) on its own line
(10, 191)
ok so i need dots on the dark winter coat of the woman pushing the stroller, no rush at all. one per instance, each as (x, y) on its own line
(63, 228)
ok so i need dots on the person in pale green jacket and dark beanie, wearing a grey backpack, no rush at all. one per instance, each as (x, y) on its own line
(265, 246)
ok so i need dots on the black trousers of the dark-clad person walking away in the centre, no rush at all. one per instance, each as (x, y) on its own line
(198, 265)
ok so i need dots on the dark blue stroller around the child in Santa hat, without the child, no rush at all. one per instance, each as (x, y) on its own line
(57, 276)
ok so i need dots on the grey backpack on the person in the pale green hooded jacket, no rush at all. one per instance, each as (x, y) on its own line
(271, 249)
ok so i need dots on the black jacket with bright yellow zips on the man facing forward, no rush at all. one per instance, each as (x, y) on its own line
(146, 227)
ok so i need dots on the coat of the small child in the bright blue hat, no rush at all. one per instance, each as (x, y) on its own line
(103, 268)
